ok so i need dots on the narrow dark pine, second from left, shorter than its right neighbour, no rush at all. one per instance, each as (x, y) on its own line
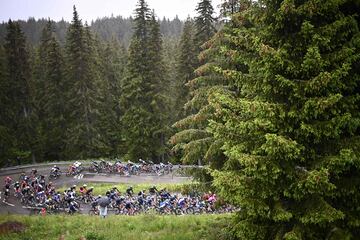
(51, 99)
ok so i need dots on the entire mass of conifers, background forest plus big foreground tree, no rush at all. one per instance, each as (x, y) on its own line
(267, 95)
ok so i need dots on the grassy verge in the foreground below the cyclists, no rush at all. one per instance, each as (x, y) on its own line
(143, 227)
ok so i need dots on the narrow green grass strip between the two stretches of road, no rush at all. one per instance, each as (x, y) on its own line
(101, 188)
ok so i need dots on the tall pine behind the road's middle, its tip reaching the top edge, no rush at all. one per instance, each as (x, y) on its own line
(142, 99)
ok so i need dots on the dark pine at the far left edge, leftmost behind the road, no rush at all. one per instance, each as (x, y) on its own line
(18, 90)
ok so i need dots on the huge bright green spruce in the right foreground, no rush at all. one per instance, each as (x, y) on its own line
(291, 134)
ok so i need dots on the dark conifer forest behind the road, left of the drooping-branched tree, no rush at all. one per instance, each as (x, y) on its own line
(77, 91)
